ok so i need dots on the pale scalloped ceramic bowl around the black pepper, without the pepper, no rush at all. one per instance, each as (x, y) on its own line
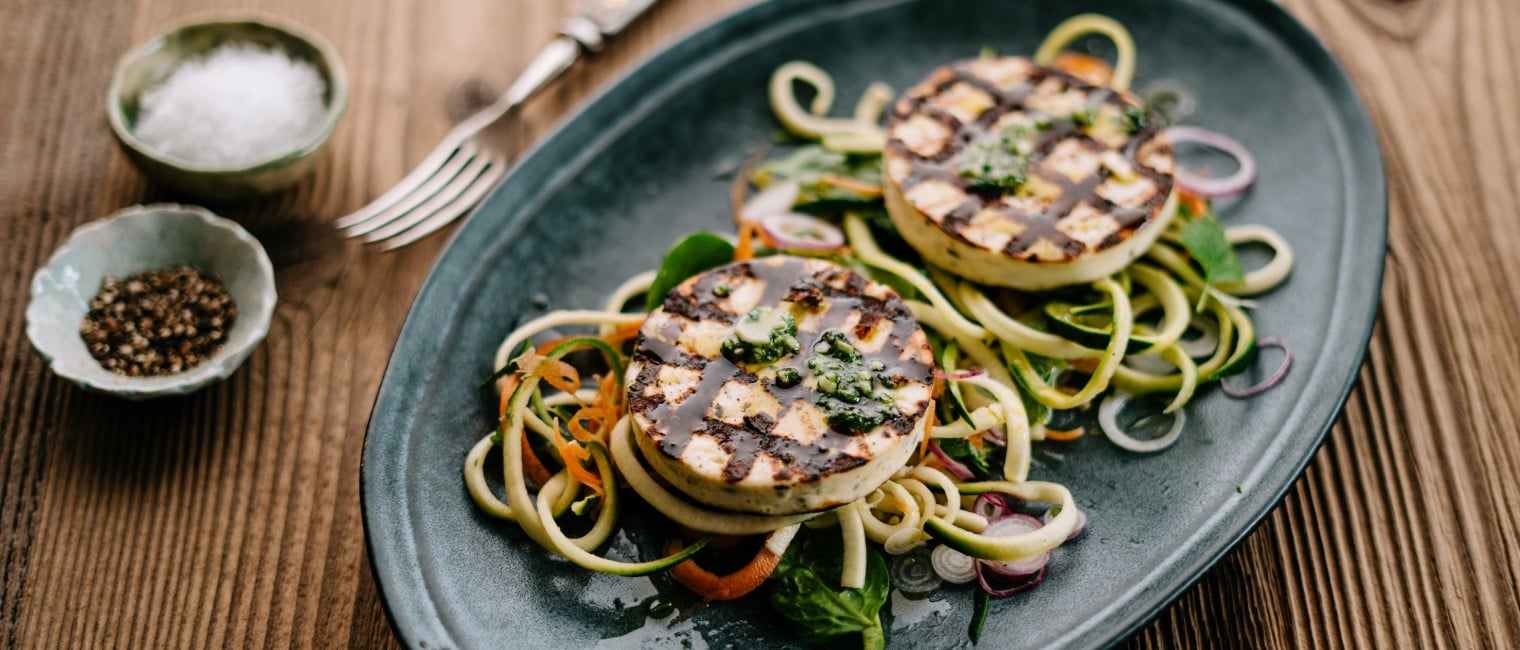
(136, 241)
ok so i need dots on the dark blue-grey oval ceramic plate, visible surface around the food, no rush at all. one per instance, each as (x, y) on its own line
(604, 197)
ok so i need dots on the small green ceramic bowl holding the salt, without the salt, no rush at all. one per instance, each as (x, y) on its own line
(151, 63)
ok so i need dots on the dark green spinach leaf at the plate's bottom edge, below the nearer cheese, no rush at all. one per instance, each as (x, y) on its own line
(806, 593)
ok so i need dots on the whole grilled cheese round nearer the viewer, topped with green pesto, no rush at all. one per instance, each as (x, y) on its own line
(817, 420)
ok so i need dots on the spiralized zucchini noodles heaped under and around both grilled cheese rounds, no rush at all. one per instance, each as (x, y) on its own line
(1013, 358)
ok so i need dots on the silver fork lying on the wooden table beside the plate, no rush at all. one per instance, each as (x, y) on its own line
(473, 157)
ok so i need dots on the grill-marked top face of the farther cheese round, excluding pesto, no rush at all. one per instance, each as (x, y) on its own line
(1072, 206)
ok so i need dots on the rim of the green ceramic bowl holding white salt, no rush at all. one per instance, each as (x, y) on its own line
(335, 77)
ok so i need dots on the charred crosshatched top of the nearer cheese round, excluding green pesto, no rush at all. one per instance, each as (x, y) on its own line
(724, 423)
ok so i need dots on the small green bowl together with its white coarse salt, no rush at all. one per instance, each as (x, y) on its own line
(229, 107)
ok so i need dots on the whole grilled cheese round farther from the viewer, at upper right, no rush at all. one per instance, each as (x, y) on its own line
(1094, 183)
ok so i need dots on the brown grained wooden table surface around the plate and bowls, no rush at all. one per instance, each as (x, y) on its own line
(232, 519)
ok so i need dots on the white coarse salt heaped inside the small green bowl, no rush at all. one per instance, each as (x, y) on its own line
(235, 107)
